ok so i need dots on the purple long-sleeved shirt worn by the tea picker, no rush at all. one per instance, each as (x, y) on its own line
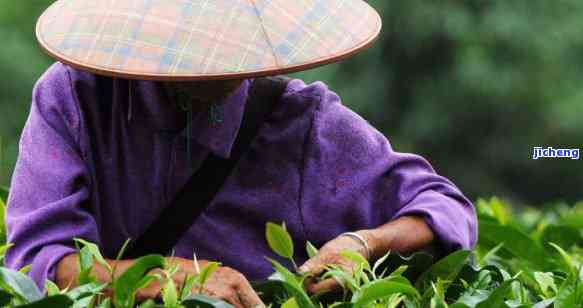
(87, 169)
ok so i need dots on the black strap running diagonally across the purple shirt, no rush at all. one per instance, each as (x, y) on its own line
(175, 219)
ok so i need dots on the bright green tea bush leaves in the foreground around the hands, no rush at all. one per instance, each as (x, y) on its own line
(528, 259)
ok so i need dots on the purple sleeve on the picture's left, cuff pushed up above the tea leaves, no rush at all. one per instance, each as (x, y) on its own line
(49, 188)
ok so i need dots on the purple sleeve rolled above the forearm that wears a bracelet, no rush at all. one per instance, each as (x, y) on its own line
(354, 179)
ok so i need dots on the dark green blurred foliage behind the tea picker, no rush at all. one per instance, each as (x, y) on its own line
(470, 85)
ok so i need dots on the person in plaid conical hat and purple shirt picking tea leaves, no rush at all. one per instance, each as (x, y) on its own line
(118, 126)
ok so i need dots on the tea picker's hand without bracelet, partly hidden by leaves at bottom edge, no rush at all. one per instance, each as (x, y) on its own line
(225, 283)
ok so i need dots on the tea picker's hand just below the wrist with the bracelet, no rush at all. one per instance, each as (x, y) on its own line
(329, 254)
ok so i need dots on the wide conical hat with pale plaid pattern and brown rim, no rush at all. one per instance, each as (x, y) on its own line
(204, 39)
